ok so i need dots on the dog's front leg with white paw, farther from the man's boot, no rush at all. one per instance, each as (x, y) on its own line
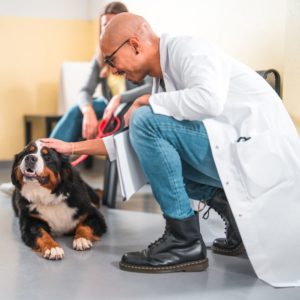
(36, 234)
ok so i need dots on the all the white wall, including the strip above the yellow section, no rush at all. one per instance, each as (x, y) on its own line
(261, 33)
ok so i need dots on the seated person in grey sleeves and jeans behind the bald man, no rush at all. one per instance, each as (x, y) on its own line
(82, 119)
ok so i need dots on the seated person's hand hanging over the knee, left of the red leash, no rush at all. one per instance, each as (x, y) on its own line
(89, 123)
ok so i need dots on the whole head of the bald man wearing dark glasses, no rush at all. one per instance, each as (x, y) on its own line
(130, 47)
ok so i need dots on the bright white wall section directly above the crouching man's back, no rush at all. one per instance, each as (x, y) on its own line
(250, 30)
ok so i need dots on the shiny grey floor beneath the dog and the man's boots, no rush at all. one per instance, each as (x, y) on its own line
(94, 274)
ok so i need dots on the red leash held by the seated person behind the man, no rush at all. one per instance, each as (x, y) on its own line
(103, 131)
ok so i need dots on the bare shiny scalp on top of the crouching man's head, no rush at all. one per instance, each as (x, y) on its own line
(124, 26)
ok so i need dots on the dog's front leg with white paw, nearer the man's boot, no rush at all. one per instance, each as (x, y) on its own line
(91, 229)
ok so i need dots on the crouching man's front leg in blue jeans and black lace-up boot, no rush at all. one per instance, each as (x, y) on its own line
(162, 145)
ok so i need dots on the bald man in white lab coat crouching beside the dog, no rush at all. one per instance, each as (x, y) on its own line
(211, 125)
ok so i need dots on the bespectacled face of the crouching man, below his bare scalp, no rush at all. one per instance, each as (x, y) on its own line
(126, 58)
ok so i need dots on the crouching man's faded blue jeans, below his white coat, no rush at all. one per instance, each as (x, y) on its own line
(176, 158)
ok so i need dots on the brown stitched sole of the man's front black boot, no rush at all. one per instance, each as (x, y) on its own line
(195, 266)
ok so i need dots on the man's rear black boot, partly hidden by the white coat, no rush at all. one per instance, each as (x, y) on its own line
(231, 245)
